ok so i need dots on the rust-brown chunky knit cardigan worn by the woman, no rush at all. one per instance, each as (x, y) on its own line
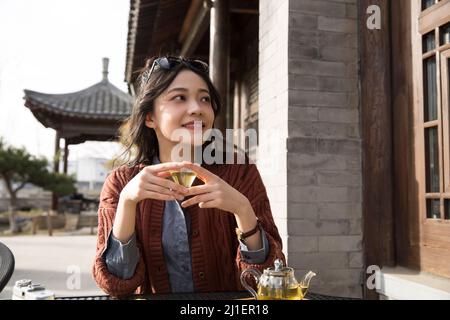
(216, 259)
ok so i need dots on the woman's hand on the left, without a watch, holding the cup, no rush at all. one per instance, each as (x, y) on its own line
(151, 183)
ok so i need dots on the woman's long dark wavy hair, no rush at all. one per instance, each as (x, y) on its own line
(140, 141)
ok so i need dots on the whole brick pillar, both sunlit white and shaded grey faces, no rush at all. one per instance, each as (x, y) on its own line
(309, 91)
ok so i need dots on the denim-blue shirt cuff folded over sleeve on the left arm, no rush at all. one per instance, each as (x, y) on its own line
(122, 258)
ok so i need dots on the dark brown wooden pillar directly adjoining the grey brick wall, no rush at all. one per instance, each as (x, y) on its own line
(376, 117)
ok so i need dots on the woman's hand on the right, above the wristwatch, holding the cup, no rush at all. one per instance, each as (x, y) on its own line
(215, 193)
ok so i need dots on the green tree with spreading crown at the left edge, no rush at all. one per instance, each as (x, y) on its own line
(18, 167)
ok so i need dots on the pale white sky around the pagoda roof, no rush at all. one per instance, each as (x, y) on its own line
(57, 46)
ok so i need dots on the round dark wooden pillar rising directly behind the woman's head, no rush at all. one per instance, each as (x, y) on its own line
(219, 56)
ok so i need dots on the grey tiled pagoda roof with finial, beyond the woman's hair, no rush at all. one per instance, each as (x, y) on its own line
(94, 113)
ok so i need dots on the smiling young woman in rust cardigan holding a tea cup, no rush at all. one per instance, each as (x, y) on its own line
(156, 236)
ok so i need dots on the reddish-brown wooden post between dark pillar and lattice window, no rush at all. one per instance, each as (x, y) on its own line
(407, 166)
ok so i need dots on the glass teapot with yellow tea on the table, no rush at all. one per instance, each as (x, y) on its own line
(277, 283)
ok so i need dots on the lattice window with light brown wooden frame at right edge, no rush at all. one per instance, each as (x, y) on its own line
(434, 28)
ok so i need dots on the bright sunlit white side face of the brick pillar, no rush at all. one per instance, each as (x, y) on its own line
(273, 106)
